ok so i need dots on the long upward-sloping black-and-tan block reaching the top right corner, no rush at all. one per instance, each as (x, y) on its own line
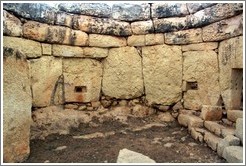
(214, 13)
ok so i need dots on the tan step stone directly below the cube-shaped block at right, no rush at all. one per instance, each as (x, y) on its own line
(218, 129)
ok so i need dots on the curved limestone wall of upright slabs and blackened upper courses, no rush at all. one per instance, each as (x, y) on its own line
(164, 55)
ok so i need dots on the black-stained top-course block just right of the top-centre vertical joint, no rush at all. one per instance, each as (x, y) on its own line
(160, 10)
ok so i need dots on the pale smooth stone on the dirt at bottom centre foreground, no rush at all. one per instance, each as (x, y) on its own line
(128, 156)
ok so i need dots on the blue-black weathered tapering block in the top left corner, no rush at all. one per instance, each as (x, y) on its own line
(40, 12)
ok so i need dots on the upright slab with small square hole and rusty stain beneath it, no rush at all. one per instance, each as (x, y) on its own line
(82, 79)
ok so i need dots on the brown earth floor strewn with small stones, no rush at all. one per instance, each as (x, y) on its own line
(101, 142)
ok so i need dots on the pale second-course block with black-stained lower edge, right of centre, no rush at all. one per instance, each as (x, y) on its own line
(170, 24)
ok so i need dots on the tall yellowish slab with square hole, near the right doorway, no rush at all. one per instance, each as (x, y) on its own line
(200, 79)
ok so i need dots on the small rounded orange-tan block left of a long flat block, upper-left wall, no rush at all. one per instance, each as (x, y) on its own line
(79, 38)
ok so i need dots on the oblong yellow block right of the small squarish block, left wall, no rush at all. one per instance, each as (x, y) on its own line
(67, 51)
